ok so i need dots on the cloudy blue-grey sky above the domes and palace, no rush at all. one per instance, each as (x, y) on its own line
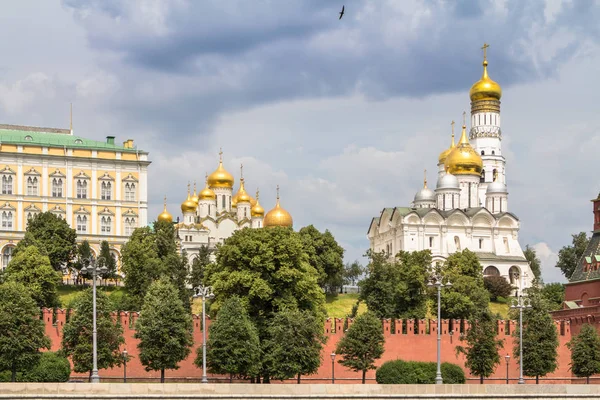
(343, 114)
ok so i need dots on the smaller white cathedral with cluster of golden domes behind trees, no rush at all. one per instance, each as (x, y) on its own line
(211, 216)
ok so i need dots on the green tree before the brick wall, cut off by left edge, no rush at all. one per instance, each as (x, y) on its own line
(22, 333)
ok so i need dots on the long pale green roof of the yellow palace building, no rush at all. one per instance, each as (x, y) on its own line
(51, 137)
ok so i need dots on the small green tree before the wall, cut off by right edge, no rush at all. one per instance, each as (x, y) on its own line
(585, 352)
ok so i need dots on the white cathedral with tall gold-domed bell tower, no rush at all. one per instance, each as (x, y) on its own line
(469, 207)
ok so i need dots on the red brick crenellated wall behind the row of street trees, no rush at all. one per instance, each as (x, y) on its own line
(418, 343)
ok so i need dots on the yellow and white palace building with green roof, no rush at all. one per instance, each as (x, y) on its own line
(99, 188)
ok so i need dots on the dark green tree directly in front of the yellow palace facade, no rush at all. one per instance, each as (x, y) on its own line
(53, 236)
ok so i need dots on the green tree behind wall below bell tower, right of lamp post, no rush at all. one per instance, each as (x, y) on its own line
(467, 294)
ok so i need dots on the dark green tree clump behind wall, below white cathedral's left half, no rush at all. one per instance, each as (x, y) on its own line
(397, 289)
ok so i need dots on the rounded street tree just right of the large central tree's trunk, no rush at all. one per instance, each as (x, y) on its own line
(294, 345)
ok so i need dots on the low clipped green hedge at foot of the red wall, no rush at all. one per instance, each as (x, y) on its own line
(418, 372)
